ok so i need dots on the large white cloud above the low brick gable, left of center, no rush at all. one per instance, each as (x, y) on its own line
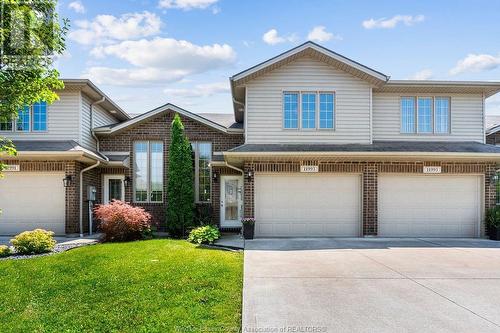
(160, 60)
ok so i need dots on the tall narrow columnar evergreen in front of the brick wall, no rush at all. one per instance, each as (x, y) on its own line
(180, 192)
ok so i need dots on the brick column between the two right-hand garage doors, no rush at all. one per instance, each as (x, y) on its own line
(370, 188)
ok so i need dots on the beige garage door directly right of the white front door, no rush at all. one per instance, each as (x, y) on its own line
(311, 205)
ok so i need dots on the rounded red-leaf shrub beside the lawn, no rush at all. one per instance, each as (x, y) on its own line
(123, 222)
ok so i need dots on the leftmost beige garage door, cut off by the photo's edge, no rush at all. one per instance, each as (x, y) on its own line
(32, 200)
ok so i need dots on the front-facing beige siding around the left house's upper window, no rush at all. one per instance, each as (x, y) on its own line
(62, 120)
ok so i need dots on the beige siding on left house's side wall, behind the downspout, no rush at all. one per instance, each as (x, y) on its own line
(101, 118)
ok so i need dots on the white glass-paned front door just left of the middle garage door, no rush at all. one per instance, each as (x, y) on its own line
(231, 201)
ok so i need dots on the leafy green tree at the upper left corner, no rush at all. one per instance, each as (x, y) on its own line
(31, 37)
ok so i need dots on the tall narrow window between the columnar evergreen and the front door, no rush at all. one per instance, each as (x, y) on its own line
(202, 175)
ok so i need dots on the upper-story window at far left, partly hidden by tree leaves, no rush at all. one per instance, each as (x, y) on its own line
(32, 118)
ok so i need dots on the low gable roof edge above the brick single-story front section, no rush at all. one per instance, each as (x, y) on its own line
(210, 120)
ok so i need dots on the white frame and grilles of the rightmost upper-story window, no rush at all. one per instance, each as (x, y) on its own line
(433, 116)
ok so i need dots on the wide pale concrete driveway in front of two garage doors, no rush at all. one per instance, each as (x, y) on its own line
(371, 285)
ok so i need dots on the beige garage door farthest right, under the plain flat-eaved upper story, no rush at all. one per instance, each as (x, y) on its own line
(429, 206)
